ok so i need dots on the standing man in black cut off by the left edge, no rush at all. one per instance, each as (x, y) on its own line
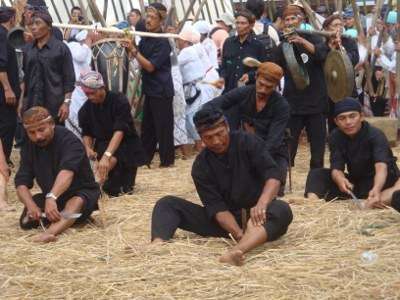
(9, 82)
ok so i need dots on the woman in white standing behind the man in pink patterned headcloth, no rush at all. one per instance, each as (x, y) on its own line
(81, 58)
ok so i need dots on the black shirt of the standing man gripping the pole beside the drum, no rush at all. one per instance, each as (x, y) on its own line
(158, 83)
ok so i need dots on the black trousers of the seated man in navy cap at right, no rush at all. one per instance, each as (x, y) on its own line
(319, 182)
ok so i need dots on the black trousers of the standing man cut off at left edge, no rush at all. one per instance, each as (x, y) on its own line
(8, 125)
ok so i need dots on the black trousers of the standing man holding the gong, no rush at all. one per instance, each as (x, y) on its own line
(315, 126)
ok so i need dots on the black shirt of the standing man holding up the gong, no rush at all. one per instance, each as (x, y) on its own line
(313, 99)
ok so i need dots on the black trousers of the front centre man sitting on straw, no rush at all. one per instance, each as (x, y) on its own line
(171, 213)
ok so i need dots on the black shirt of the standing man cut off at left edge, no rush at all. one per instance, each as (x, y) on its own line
(8, 64)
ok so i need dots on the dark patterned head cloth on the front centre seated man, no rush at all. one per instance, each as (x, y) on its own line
(208, 118)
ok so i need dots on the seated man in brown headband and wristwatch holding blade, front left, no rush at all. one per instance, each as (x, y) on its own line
(56, 158)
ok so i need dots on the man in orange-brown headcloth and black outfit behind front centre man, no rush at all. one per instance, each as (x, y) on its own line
(262, 110)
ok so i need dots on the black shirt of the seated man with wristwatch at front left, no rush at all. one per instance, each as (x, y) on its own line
(65, 152)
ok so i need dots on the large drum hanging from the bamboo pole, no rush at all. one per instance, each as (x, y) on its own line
(111, 60)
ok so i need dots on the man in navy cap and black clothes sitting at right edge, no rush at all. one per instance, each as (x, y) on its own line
(364, 149)
